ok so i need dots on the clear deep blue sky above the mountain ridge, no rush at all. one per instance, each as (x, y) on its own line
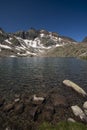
(67, 17)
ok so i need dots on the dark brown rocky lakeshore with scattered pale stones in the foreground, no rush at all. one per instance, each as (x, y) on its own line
(26, 112)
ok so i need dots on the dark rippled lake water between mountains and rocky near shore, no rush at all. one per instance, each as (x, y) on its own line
(20, 75)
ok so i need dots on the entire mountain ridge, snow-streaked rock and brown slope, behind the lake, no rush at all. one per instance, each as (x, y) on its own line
(39, 43)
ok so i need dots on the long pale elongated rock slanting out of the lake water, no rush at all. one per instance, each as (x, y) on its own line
(75, 87)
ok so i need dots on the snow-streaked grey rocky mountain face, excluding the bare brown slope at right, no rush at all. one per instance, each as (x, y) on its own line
(31, 43)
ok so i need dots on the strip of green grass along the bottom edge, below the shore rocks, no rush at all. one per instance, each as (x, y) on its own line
(63, 126)
